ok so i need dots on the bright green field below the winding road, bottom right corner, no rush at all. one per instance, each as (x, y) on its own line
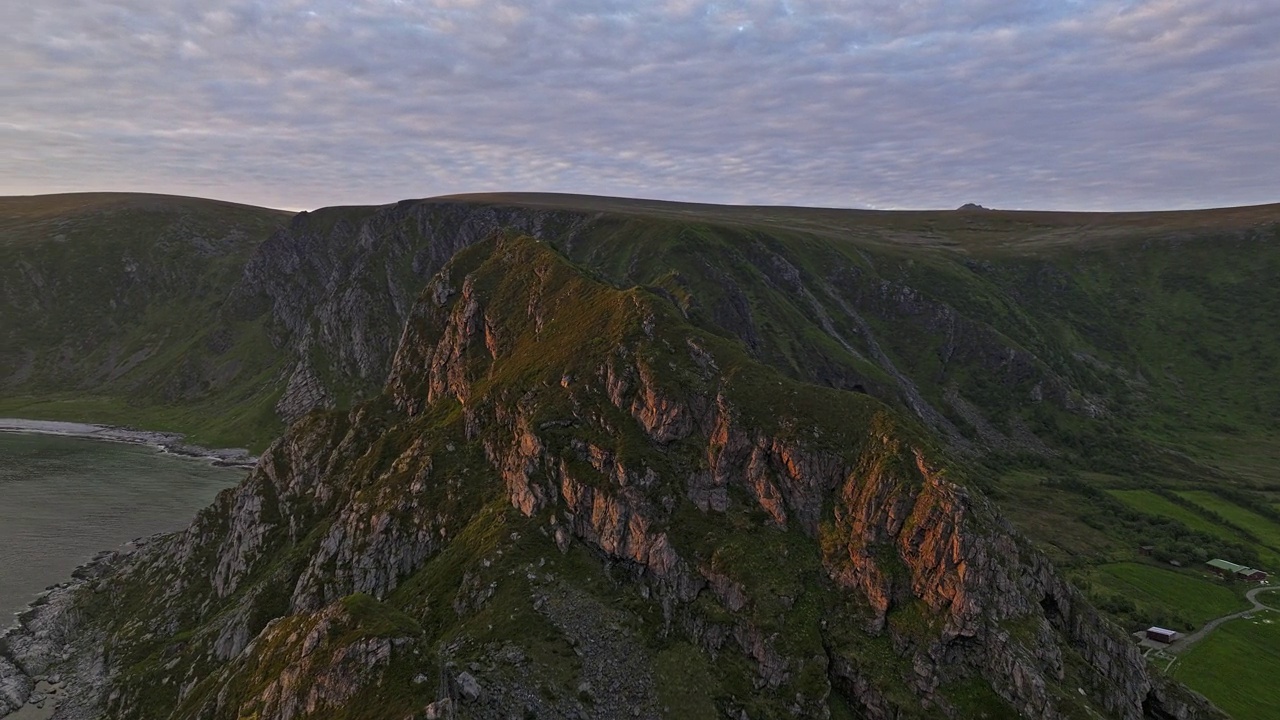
(1237, 668)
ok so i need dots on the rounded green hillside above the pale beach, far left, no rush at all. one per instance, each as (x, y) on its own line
(116, 315)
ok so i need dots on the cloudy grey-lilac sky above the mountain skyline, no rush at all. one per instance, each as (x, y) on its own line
(1055, 104)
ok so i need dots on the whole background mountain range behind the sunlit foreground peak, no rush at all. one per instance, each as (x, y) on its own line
(1017, 335)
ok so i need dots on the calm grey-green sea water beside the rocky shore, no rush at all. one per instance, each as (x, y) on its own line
(63, 500)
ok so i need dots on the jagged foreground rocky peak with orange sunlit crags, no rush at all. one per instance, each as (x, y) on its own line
(570, 502)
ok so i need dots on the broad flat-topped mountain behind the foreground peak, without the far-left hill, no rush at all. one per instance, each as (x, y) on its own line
(1017, 335)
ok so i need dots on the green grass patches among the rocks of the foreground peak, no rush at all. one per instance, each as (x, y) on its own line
(501, 549)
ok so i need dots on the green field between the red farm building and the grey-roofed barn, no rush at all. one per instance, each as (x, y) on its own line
(1168, 596)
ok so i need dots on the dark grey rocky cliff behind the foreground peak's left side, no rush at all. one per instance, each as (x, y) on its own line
(337, 285)
